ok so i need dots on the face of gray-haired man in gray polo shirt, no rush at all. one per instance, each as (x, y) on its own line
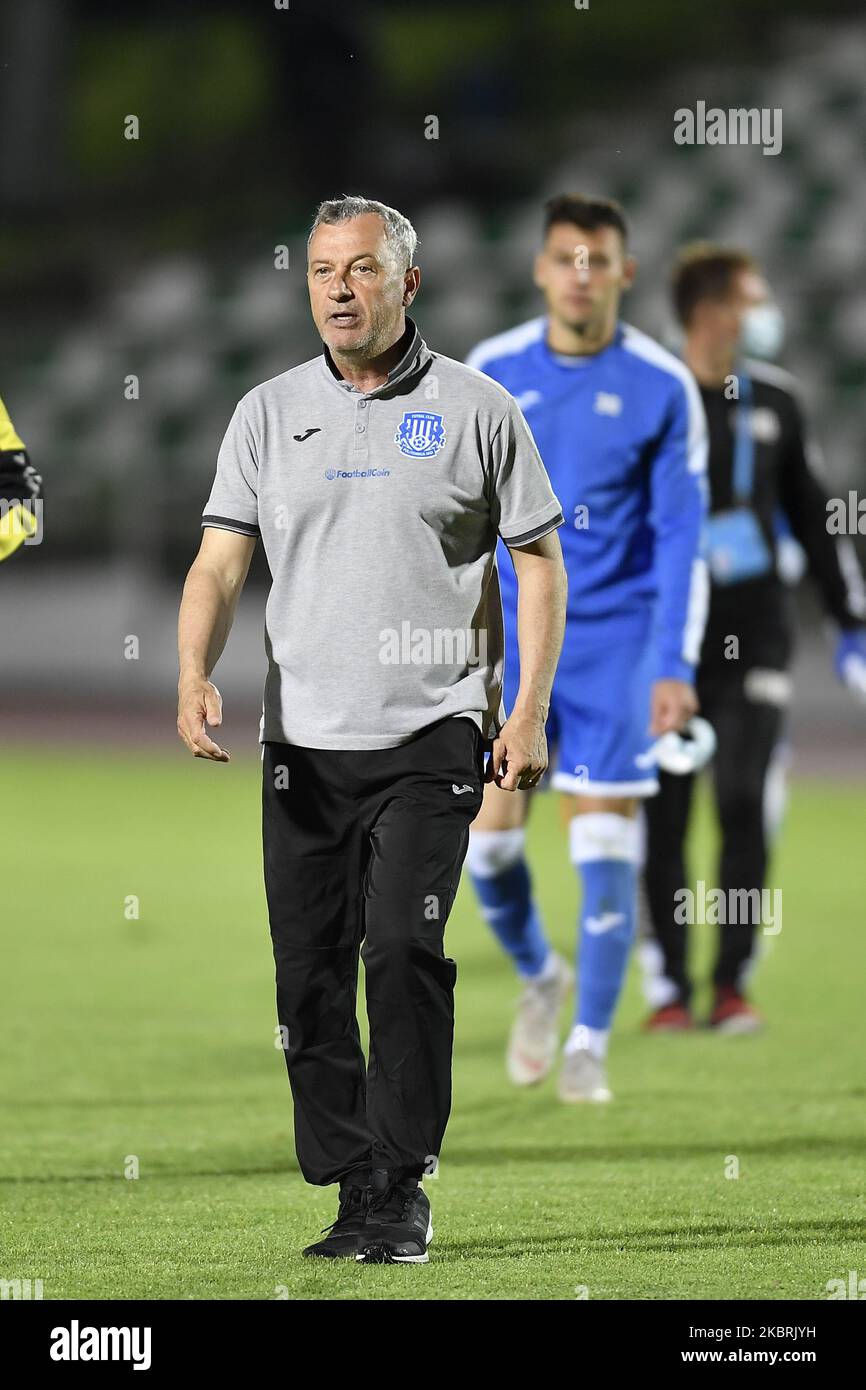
(357, 290)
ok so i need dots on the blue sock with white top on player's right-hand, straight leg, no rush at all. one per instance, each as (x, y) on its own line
(604, 847)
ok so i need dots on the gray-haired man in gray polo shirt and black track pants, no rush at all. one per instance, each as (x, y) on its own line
(379, 477)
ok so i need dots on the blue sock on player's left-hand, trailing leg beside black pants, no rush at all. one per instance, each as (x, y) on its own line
(503, 883)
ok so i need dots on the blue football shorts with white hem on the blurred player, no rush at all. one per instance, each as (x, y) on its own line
(600, 708)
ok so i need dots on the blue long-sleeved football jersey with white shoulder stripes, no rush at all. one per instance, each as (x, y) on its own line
(623, 439)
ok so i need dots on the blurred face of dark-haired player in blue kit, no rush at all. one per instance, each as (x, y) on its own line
(583, 276)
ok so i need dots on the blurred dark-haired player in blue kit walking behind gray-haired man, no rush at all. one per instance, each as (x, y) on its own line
(622, 432)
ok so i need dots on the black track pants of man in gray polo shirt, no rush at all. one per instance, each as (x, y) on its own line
(368, 847)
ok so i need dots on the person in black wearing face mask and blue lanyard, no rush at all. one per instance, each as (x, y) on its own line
(761, 472)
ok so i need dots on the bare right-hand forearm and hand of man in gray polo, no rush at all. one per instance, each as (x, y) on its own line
(521, 754)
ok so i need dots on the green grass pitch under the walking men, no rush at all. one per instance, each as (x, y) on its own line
(154, 1040)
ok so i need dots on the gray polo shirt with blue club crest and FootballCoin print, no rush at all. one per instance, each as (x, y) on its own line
(380, 514)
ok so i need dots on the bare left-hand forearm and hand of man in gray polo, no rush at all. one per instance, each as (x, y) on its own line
(208, 611)
